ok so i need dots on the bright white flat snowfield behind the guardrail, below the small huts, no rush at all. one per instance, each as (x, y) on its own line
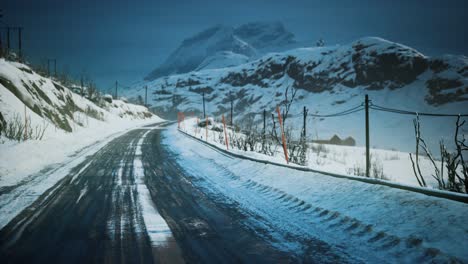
(345, 160)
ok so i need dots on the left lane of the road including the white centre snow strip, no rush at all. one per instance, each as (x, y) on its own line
(98, 212)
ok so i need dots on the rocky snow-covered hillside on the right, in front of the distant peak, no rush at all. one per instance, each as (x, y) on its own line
(329, 80)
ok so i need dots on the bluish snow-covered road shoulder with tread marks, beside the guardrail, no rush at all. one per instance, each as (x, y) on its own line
(365, 222)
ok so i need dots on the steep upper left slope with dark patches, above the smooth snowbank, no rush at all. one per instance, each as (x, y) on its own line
(44, 101)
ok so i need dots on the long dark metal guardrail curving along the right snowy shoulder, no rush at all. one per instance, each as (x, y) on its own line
(459, 197)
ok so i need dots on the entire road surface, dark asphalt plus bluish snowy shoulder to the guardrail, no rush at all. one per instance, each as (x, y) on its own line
(154, 195)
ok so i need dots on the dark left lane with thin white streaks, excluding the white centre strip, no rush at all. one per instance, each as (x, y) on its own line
(70, 222)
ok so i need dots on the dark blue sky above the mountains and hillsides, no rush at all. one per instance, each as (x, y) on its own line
(125, 40)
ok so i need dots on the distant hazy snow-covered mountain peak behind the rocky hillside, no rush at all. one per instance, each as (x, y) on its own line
(213, 44)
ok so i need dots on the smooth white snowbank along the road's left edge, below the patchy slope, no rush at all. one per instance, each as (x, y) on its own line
(20, 160)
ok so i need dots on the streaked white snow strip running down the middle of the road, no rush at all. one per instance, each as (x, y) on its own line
(133, 211)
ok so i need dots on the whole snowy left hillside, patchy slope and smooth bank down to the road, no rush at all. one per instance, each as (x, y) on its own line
(58, 121)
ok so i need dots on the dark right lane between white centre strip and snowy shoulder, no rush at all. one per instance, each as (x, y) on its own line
(206, 230)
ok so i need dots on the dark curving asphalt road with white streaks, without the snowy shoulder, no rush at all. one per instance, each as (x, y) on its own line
(131, 202)
